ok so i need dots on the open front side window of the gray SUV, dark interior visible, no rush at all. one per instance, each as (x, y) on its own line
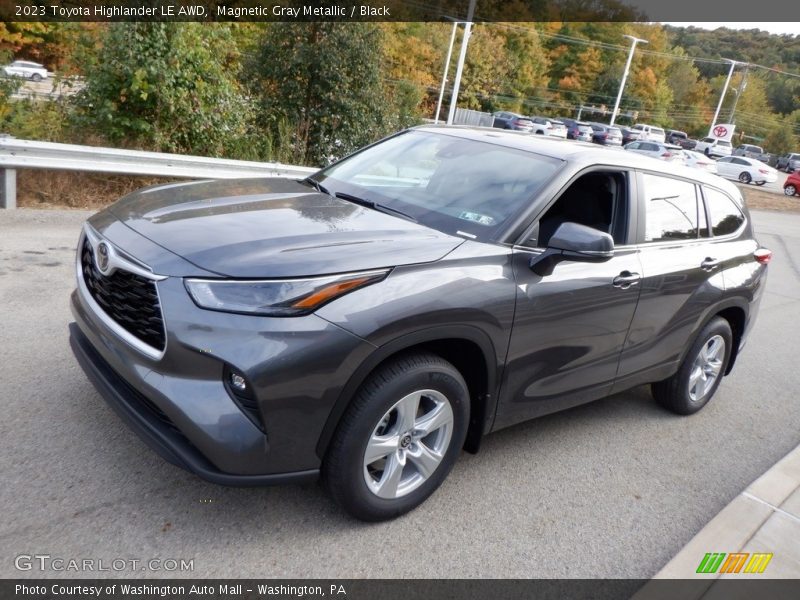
(598, 199)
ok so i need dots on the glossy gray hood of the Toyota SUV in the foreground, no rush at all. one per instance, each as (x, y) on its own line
(272, 227)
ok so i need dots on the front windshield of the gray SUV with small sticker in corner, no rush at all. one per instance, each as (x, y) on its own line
(455, 185)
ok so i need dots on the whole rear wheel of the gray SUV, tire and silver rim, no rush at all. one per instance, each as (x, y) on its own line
(699, 376)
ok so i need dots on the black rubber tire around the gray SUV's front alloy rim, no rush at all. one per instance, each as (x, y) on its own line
(344, 472)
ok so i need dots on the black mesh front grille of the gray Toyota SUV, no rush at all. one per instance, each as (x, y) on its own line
(129, 299)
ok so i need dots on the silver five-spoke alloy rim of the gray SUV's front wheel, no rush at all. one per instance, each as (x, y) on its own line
(408, 444)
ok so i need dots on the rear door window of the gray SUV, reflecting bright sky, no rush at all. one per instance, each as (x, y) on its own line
(671, 209)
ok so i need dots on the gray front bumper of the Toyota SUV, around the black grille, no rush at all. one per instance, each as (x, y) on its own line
(177, 399)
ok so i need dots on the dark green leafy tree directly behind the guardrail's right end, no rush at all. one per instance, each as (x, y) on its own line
(319, 84)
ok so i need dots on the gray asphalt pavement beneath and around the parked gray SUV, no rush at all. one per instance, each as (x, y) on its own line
(612, 489)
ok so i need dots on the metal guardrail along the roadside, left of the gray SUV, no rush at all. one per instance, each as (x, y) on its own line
(26, 154)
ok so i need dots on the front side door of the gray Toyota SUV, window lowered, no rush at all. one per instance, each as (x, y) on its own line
(570, 326)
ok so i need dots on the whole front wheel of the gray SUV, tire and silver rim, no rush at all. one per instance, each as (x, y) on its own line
(399, 438)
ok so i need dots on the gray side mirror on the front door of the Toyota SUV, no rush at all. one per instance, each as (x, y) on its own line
(575, 242)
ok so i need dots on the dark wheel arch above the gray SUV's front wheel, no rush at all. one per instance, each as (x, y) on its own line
(468, 348)
